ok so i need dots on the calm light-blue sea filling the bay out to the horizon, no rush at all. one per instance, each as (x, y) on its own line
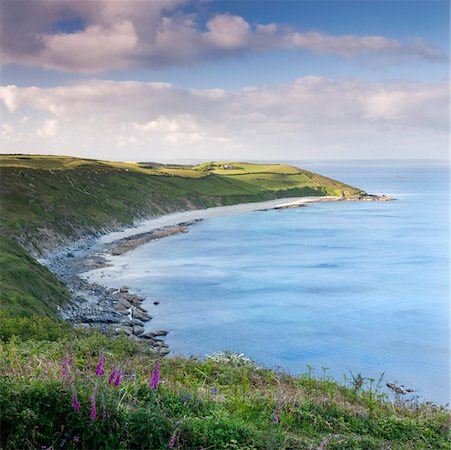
(351, 286)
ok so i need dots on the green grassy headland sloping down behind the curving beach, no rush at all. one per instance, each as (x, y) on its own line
(47, 199)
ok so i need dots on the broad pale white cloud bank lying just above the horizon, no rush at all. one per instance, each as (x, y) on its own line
(310, 117)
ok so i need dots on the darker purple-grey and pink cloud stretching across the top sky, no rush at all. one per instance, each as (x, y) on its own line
(121, 34)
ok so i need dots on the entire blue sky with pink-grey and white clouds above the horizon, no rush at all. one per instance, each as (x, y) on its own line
(198, 79)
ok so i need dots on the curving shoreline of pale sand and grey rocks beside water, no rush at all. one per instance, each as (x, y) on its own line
(115, 311)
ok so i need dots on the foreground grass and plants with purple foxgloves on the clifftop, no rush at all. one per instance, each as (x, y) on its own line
(194, 404)
